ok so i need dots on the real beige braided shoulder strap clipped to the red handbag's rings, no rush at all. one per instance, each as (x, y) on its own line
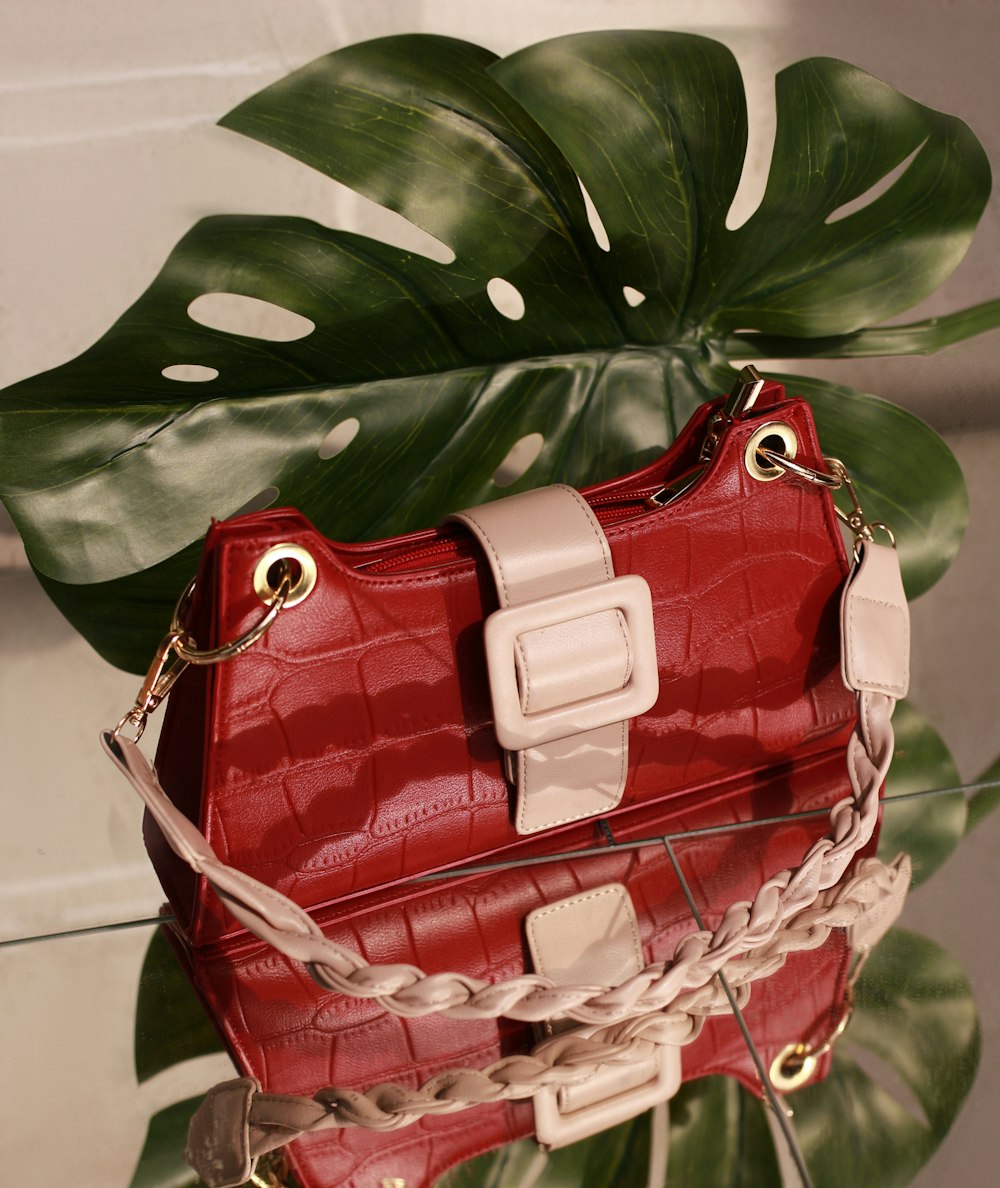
(876, 665)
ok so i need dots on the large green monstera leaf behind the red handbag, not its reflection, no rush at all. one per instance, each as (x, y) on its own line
(409, 386)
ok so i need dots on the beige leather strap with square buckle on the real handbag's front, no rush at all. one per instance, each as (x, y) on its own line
(571, 654)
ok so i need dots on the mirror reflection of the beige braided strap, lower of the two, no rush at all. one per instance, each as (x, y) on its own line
(238, 1123)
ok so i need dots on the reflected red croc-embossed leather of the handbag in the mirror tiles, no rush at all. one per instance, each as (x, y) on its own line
(296, 1039)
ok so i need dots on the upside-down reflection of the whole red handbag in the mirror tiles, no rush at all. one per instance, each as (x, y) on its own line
(545, 1080)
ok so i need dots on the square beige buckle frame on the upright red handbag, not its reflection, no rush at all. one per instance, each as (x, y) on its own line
(517, 731)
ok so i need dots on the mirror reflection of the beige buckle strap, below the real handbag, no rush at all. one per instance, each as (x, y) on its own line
(594, 937)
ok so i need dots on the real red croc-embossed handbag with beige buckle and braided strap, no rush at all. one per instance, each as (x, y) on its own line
(659, 644)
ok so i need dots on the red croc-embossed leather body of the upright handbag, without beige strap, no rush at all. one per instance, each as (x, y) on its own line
(353, 748)
